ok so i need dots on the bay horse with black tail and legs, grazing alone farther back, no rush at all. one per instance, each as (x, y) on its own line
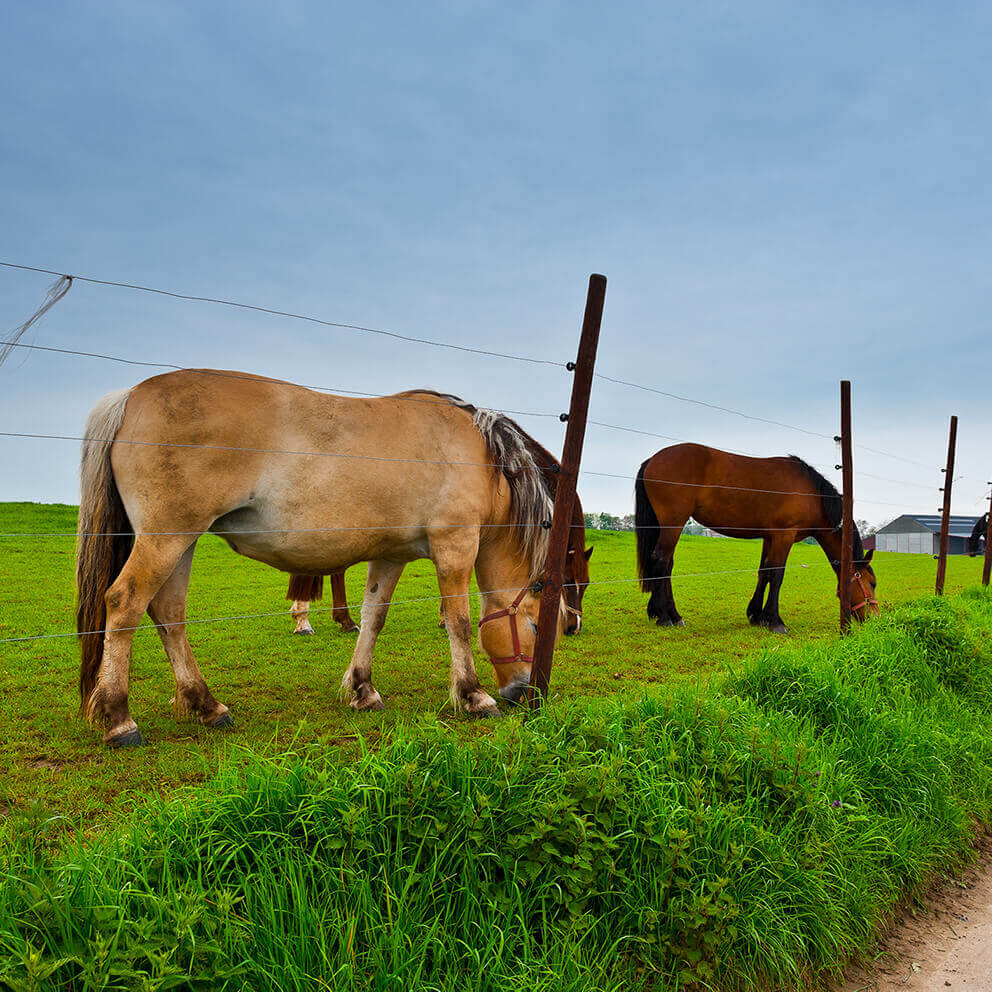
(780, 500)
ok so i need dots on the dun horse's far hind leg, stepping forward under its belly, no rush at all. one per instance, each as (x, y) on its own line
(168, 610)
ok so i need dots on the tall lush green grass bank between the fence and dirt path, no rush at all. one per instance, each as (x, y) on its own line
(751, 833)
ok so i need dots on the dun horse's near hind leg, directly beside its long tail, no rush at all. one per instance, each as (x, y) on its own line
(151, 562)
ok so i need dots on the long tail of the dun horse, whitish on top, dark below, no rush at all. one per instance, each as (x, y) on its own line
(104, 541)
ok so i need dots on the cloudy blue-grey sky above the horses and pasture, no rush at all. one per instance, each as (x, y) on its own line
(781, 195)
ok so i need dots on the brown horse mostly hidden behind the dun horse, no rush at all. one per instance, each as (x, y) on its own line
(304, 589)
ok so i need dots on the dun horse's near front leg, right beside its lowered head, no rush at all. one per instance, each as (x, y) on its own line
(453, 559)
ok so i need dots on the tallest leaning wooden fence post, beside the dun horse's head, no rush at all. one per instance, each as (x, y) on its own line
(561, 519)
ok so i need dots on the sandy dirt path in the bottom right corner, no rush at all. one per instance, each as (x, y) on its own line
(945, 945)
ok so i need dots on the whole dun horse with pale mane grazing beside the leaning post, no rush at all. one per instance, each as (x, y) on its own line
(194, 451)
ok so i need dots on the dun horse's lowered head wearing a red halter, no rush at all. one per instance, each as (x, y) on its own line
(508, 634)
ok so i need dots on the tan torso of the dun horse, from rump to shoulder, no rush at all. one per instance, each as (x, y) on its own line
(302, 480)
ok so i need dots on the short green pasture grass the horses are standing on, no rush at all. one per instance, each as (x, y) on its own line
(283, 690)
